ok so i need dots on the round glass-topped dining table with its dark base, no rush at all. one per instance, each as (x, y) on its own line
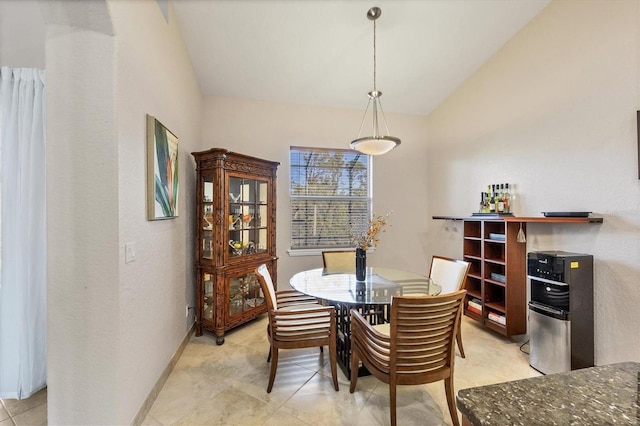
(370, 297)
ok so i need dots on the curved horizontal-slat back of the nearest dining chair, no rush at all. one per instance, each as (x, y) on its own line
(422, 331)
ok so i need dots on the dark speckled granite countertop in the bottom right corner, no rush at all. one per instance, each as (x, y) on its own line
(608, 394)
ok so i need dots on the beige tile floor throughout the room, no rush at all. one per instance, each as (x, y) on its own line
(226, 385)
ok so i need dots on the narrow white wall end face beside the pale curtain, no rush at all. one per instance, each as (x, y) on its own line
(82, 226)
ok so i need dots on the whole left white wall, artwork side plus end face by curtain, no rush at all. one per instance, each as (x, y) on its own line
(113, 327)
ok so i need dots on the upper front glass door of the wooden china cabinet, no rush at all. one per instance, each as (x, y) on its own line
(247, 216)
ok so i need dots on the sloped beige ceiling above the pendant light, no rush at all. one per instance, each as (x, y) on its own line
(320, 52)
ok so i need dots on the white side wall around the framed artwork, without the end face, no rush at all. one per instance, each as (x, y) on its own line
(155, 77)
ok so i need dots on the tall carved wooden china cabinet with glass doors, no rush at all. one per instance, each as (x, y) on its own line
(235, 233)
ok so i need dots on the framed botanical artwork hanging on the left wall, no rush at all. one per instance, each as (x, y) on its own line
(162, 171)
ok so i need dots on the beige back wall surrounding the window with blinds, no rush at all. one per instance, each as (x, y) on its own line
(267, 130)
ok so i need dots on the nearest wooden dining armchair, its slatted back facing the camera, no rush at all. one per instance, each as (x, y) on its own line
(419, 349)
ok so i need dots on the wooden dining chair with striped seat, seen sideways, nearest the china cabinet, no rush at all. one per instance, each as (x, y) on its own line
(296, 325)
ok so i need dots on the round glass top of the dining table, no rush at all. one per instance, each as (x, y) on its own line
(380, 285)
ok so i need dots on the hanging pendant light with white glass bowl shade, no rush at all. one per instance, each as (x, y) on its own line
(376, 144)
